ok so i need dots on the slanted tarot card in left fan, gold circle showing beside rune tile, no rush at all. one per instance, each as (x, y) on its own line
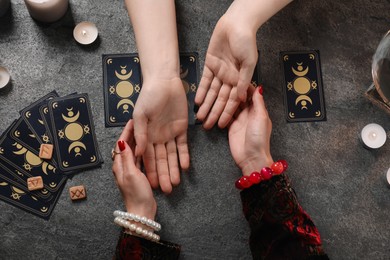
(28, 164)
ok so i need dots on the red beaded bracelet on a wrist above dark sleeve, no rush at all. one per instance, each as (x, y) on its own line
(265, 174)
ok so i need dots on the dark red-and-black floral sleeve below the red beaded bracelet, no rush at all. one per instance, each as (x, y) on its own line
(280, 228)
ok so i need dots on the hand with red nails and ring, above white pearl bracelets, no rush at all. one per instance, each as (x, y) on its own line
(134, 186)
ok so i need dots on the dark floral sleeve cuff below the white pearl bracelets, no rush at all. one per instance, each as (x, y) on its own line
(137, 248)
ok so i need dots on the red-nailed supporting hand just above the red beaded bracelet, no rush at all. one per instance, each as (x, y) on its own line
(249, 135)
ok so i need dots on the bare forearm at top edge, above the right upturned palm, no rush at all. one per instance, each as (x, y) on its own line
(254, 13)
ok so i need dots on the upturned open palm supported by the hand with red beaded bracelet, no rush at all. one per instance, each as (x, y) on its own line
(230, 61)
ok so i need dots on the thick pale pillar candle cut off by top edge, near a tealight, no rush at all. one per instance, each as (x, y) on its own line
(47, 11)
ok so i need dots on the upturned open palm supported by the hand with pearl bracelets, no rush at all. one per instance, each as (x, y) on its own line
(160, 128)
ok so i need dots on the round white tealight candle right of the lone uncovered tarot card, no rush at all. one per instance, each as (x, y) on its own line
(373, 136)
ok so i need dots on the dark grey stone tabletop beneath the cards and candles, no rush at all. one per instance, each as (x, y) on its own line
(338, 182)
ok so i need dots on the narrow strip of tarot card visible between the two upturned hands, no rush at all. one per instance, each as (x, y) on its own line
(189, 74)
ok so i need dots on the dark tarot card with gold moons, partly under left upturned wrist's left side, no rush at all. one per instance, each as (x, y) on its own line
(121, 86)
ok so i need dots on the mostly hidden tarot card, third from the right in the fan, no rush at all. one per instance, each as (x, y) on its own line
(34, 119)
